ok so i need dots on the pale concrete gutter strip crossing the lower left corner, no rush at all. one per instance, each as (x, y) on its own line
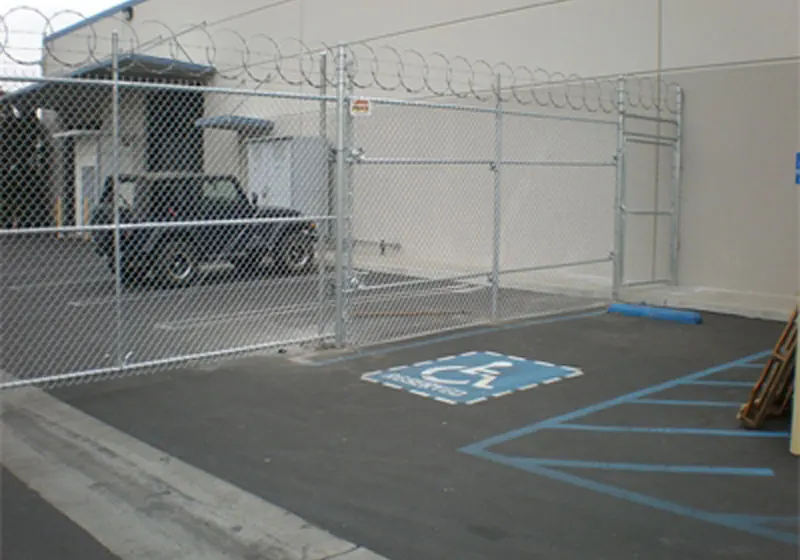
(140, 502)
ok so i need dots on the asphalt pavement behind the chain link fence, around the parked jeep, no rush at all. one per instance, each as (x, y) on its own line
(61, 313)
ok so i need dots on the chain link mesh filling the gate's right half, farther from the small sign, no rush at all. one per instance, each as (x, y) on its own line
(557, 217)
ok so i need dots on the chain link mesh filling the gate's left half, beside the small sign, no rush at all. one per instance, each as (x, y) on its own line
(422, 227)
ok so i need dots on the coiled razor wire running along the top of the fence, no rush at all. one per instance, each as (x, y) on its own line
(265, 60)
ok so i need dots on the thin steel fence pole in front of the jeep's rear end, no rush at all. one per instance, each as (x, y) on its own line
(120, 358)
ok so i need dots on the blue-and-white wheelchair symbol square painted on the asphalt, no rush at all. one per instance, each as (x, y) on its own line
(472, 377)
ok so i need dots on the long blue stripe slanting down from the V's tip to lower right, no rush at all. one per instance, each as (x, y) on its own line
(645, 500)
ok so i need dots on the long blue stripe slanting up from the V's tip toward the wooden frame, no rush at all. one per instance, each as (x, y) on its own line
(580, 413)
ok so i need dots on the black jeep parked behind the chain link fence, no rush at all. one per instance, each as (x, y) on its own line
(214, 221)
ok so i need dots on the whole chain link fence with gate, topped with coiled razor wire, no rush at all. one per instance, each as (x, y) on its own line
(159, 210)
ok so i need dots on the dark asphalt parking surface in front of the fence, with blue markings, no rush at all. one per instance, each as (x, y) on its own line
(609, 438)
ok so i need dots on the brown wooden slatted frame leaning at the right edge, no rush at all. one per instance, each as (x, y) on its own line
(772, 394)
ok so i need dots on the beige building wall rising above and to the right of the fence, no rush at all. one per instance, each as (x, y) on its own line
(735, 59)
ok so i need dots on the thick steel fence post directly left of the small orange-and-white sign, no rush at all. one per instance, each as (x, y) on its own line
(341, 193)
